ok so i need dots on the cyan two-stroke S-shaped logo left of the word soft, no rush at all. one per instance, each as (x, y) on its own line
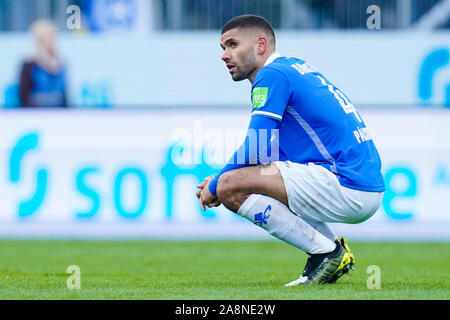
(24, 145)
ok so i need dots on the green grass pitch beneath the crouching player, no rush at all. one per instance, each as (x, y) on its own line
(213, 270)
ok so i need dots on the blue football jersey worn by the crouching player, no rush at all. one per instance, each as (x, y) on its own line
(317, 123)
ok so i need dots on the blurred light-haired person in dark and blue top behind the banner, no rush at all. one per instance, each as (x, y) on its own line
(42, 78)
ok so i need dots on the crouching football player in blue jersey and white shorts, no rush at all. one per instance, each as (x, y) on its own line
(327, 168)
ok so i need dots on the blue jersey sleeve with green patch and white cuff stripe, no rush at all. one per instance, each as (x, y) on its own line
(271, 92)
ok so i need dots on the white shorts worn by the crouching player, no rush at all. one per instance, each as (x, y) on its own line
(314, 193)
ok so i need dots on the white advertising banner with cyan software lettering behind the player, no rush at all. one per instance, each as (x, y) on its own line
(133, 173)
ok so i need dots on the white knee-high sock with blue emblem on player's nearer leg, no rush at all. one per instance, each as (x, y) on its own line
(273, 216)
